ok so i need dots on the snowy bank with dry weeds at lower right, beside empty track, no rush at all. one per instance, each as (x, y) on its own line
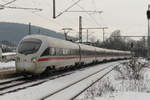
(119, 86)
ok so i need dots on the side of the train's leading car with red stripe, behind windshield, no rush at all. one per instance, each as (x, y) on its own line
(61, 54)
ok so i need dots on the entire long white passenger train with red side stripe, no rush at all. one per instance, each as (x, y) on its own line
(36, 53)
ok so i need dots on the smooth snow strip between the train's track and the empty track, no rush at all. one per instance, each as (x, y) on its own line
(36, 92)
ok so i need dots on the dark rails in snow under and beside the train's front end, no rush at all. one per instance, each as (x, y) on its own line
(20, 83)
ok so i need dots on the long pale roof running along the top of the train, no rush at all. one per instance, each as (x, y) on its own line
(67, 44)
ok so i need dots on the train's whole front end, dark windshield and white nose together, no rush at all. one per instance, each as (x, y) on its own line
(27, 50)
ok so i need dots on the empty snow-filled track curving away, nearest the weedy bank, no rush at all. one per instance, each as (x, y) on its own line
(73, 86)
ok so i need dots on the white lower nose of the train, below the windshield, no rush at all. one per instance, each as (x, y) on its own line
(25, 65)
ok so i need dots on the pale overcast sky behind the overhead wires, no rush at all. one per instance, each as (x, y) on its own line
(127, 15)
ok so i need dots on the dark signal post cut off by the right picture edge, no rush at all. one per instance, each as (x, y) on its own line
(148, 17)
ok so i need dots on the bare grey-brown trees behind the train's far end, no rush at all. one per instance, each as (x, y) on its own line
(116, 41)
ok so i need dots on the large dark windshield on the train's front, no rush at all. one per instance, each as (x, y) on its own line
(29, 46)
